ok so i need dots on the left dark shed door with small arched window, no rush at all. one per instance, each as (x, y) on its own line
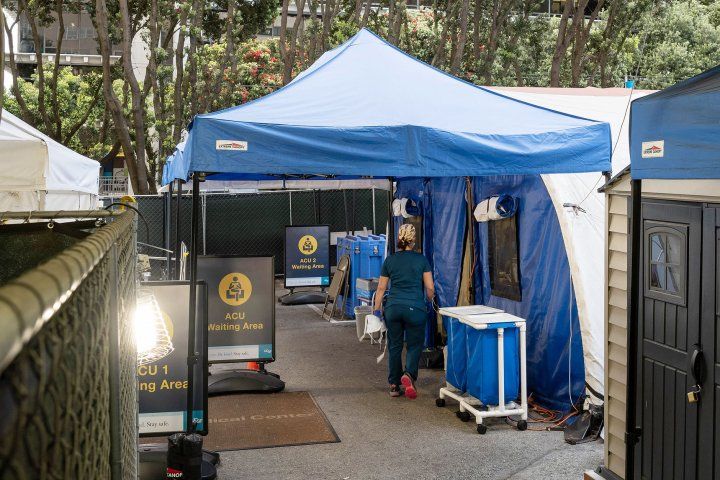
(669, 334)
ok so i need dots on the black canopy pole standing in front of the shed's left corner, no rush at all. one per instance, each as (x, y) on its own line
(632, 431)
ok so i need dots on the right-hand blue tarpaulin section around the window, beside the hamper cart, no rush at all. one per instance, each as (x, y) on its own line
(555, 364)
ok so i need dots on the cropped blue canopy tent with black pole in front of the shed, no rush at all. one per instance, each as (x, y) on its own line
(673, 135)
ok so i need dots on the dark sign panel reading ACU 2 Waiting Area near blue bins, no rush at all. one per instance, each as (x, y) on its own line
(307, 256)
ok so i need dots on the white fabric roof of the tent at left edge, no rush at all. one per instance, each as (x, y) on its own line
(33, 161)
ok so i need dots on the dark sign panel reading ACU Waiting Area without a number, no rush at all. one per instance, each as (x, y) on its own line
(241, 308)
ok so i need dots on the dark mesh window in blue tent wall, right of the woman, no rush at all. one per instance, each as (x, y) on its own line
(504, 258)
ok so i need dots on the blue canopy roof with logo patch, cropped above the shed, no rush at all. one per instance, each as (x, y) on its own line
(674, 132)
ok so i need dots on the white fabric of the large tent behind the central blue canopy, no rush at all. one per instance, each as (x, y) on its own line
(584, 227)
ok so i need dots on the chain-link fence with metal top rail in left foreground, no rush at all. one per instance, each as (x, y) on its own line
(68, 392)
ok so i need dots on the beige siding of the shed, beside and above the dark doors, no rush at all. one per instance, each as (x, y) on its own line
(616, 295)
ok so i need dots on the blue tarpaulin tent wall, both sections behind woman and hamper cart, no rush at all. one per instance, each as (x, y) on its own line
(555, 362)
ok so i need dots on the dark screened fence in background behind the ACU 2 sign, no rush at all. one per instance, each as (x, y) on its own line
(248, 224)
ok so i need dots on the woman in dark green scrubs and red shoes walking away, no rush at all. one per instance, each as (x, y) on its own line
(405, 311)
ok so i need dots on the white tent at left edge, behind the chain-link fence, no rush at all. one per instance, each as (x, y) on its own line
(42, 174)
